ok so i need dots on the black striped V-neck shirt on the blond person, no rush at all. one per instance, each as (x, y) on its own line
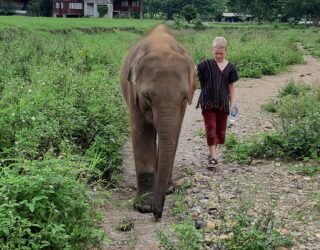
(215, 84)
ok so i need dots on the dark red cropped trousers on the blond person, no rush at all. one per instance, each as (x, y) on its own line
(216, 125)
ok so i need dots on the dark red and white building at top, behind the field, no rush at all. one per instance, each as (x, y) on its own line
(96, 8)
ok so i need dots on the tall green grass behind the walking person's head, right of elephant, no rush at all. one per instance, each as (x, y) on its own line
(256, 52)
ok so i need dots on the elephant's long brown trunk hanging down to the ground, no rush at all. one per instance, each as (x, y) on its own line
(168, 135)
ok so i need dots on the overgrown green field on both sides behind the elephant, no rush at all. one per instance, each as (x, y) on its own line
(62, 117)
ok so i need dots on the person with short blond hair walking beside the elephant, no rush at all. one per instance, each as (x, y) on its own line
(217, 77)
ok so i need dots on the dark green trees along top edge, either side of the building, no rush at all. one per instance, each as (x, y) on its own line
(261, 10)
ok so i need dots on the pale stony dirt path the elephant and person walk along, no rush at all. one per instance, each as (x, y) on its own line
(270, 177)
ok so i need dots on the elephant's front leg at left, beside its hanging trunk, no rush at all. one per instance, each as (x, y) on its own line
(145, 156)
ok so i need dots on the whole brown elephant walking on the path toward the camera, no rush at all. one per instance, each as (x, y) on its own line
(157, 80)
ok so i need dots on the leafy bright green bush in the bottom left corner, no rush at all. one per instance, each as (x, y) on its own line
(43, 206)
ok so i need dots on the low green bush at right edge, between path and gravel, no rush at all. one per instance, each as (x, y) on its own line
(297, 135)
